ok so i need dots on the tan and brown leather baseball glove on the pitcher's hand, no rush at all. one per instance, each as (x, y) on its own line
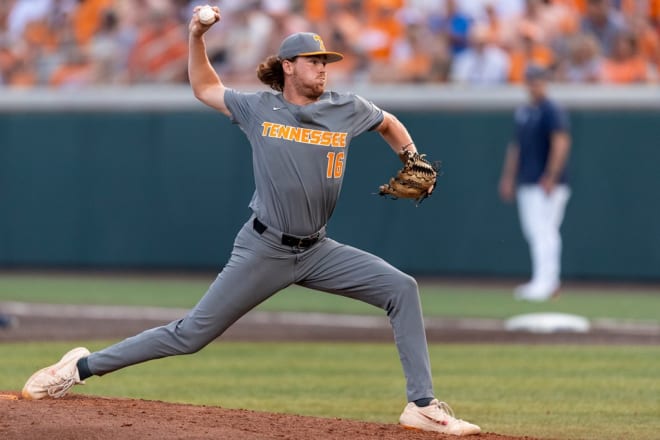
(414, 180)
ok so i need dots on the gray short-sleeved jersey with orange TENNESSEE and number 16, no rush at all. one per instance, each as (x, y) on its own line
(299, 153)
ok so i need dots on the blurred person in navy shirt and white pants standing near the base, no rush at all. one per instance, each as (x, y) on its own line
(534, 172)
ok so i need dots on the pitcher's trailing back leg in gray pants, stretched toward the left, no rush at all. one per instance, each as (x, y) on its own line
(249, 278)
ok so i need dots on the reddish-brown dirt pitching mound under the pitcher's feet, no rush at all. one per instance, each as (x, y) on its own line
(78, 417)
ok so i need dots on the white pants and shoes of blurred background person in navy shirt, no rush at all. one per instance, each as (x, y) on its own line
(541, 215)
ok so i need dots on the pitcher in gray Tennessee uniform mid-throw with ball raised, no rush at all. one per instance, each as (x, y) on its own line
(300, 136)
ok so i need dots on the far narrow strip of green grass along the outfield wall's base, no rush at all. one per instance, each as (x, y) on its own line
(439, 299)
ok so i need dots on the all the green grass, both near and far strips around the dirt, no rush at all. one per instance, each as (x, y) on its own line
(555, 392)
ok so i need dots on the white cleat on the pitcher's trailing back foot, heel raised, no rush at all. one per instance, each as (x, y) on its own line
(55, 380)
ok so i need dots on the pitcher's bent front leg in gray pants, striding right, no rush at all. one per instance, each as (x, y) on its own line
(350, 272)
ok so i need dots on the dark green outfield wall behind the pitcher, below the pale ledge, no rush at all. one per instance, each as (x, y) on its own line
(169, 189)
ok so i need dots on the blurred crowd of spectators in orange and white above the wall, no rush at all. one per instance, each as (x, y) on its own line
(80, 43)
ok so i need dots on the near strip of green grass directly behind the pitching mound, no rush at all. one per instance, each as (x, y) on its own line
(557, 392)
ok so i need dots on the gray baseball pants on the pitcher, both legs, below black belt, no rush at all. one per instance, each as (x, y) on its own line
(259, 267)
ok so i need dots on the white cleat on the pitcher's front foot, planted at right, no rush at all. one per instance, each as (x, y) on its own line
(437, 417)
